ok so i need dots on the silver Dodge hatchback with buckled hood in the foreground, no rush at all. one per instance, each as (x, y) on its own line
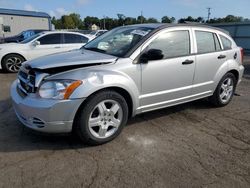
(126, 71)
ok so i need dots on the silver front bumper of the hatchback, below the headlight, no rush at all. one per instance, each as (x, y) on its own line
(45, 115)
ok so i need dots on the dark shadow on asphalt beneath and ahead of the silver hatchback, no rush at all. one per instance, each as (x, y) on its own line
(15, 137)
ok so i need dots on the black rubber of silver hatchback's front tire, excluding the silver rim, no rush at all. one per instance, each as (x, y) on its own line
(85, 110)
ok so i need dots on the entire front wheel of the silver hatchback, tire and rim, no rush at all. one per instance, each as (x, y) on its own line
(101, 118)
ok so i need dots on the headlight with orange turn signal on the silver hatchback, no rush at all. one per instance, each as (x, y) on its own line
(58, 89)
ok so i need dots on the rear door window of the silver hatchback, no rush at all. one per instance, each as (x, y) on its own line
(206, 42)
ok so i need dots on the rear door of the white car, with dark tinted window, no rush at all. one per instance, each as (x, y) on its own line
(73, 41)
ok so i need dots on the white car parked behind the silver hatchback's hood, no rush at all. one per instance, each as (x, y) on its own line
(12, 55)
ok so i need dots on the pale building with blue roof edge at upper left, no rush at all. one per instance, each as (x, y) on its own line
(13, 22)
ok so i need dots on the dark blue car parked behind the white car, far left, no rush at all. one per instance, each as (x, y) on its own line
(22, 36)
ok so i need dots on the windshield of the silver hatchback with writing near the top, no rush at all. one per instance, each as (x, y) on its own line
(118, 41)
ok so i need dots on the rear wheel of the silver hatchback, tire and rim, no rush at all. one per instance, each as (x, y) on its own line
(224, 91)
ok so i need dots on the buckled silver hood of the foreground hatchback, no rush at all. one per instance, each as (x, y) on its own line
(70, 59)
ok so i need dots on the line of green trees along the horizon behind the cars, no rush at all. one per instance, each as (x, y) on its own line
(74, 21)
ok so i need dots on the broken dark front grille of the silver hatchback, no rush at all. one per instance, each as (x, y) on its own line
(27, 81)
